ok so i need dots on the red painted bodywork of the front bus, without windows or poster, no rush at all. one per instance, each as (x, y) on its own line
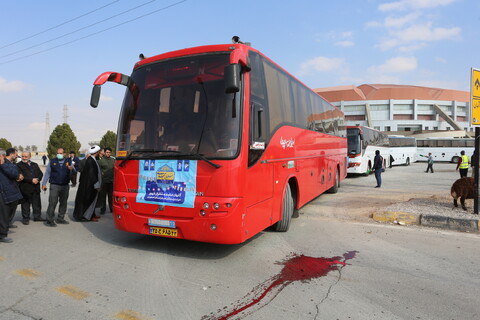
(250, 198)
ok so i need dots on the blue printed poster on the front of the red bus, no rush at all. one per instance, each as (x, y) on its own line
(167, 182)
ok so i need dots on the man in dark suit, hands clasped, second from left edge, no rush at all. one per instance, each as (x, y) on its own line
(30, 188)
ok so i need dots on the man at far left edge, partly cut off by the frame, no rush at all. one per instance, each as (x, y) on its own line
(9, 192)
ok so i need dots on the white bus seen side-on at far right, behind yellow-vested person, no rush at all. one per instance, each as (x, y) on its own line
(444, 149)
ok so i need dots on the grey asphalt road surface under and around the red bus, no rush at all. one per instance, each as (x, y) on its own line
(324, 267)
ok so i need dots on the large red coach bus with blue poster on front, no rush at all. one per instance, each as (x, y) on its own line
(217, 143)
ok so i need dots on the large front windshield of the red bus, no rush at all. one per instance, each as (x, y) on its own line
(181, 108)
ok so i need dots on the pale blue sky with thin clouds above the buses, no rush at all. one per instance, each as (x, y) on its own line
(52, 51)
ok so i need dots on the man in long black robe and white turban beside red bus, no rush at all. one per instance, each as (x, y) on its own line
(88, 189)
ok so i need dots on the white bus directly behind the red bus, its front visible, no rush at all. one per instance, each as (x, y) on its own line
(362, 143)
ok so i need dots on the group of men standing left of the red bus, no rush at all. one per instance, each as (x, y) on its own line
(22, 183)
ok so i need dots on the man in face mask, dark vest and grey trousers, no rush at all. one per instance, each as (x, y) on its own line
(58, 174)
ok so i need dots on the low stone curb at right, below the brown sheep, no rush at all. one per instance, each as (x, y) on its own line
(405, 218)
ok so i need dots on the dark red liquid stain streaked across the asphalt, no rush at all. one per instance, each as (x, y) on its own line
(296, 268)
